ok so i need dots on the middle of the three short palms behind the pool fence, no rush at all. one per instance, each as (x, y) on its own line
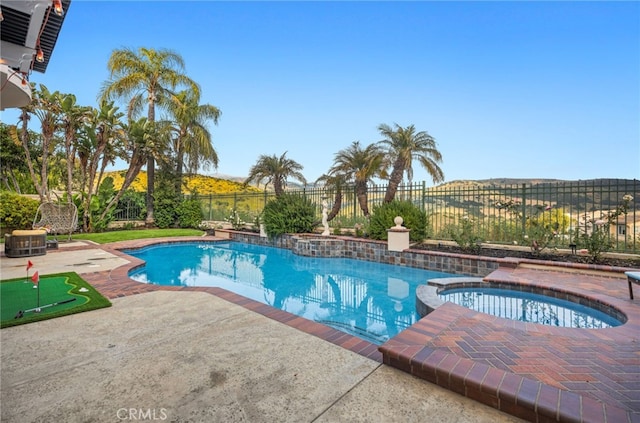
(359, 166)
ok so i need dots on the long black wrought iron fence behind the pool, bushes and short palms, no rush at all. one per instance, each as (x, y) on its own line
(506, 213)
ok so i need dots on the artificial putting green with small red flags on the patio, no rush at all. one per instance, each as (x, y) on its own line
(19, 295)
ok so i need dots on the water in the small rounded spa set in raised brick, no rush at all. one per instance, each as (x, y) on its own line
(529, 307)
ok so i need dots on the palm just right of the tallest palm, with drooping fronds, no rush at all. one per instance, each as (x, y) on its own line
(192, 139)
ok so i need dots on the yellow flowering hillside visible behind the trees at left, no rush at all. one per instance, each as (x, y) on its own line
(200, 183)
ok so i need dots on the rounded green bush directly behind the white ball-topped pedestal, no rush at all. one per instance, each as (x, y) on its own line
(382, 219)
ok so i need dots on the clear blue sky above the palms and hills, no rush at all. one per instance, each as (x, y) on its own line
(507, 89)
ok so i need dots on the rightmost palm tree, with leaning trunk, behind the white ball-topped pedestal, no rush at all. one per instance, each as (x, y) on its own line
(404, 145)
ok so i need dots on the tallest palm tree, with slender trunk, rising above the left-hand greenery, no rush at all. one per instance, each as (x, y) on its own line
(146, 76)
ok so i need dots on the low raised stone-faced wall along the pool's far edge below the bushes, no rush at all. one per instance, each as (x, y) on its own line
(370, 250)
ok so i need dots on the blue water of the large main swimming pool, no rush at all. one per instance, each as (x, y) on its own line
(370, 300)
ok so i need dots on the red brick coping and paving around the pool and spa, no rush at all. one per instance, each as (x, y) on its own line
(533, 372)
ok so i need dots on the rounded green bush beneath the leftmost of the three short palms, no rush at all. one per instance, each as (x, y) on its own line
(288, 213)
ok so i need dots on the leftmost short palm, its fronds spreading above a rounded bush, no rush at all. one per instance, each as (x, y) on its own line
(275, 170)
